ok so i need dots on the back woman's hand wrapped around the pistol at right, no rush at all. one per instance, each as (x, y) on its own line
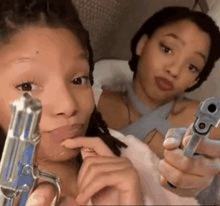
(189, 175)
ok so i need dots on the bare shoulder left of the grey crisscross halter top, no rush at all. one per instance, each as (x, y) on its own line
(113, 109)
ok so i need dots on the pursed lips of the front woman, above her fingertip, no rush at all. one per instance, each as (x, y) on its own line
(67, 132)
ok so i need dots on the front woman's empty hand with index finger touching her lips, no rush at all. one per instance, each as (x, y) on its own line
(103, 175)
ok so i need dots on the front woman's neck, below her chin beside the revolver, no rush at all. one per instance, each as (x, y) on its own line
(67, 172)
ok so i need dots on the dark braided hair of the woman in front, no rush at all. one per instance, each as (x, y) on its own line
(17, 14)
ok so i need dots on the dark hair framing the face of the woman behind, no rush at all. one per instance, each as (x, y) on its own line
(171, 15)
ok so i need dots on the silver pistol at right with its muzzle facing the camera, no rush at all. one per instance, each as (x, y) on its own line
(207, 117)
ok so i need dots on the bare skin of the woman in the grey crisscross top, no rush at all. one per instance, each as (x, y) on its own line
(176, 53)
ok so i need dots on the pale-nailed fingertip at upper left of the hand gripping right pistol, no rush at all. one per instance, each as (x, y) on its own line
(173, 138)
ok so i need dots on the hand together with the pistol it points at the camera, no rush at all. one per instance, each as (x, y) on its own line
(189, 171)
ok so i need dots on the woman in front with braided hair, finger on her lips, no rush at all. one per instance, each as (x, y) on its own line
(46, 51)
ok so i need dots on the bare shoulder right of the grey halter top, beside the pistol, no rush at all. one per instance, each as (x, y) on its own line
(184, 111)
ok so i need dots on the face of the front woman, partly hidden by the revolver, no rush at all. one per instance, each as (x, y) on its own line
(53, 66)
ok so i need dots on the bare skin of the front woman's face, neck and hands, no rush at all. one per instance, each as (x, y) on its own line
(53, 66)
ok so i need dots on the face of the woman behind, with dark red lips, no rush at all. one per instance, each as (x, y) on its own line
(171, 60)
